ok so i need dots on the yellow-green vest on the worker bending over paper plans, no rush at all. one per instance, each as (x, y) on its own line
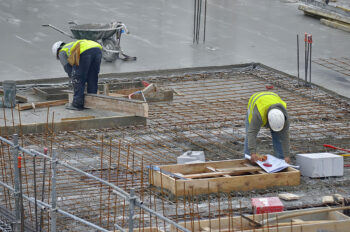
(263, 100)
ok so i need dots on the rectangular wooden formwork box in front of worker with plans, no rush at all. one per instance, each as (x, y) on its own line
(228, 175)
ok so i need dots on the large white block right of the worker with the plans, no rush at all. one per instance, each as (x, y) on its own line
(320, 164)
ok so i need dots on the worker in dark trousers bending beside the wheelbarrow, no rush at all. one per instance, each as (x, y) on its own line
(81, 60)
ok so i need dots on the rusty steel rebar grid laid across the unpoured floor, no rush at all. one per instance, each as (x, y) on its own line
(207, 114)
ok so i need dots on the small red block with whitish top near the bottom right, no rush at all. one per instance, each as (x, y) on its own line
(267, 205)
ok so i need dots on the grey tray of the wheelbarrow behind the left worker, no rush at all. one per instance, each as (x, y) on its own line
(92, 31)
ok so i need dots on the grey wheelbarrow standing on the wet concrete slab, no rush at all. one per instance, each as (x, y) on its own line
(108, 35)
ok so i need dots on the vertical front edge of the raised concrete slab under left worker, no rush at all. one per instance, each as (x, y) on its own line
(74, 125)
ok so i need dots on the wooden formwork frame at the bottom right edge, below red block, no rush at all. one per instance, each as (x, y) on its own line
(334, 221)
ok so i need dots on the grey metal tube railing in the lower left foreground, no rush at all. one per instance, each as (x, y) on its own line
(133, 200)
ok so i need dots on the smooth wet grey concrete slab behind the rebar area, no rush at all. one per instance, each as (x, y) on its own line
(161, 36)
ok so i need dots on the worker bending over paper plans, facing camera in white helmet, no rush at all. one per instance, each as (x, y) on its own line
(267, 109)
